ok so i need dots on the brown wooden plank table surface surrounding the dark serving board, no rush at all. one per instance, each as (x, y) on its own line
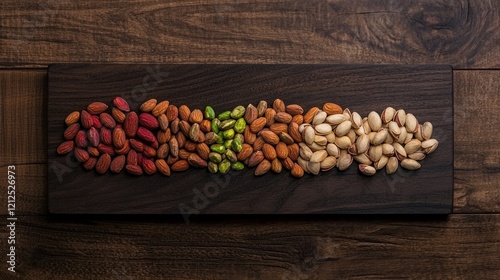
(464, 34)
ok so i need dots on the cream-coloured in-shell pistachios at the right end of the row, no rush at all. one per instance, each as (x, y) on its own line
(375, 142)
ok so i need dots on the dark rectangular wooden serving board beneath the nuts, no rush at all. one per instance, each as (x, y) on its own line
(426, 91)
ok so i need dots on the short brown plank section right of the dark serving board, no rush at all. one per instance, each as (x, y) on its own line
(477, 157)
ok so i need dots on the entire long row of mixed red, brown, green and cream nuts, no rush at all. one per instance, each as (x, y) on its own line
(163, 138)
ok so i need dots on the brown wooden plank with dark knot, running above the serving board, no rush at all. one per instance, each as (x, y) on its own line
(462, 33)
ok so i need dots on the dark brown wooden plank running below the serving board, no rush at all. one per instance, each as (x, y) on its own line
(460, 247)
